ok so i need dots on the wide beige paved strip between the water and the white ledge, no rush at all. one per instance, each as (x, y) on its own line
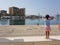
(31, 30)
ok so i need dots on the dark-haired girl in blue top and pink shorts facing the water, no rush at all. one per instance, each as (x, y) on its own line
(47, 26)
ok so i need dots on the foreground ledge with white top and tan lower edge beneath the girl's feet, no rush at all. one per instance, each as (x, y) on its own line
(30, 40)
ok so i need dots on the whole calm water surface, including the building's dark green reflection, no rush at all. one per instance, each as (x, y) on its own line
(29, 22)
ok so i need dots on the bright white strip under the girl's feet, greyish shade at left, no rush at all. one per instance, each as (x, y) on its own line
(28, 39)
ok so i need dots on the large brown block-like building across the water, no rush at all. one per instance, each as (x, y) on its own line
(15, 11)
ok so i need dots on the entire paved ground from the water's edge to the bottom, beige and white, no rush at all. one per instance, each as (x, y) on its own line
(28, 35)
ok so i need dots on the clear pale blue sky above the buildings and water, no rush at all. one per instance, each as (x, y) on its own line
(34, 7)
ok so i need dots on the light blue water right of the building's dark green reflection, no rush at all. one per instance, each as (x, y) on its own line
(39, 21)
